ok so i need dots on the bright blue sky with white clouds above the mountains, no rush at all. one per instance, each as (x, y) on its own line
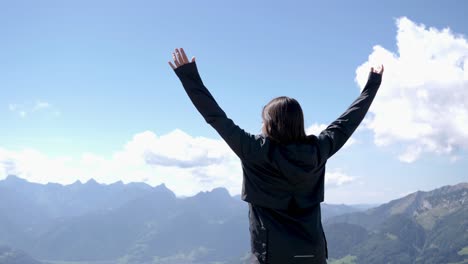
(83, 79)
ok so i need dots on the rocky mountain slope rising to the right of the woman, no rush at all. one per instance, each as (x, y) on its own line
(422, 227)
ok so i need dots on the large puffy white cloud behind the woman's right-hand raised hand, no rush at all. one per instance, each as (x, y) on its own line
(422, 103)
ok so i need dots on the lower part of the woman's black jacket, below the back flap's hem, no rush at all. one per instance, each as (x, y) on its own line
(287, 236)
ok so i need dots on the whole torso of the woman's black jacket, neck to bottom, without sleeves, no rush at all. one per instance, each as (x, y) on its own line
(284, 185)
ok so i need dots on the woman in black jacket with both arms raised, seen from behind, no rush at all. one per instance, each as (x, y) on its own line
(283, 168)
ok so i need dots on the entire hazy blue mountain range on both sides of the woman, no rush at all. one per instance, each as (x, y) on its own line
(136, 223)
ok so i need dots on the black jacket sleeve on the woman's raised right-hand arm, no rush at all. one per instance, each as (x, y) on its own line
(332, 138)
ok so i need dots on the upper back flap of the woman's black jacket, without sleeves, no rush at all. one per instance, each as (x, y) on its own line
(275, 175)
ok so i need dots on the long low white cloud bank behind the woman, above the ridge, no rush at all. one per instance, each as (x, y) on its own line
(186, 164)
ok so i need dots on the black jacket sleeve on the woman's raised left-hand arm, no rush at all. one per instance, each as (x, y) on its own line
(240, 141)
